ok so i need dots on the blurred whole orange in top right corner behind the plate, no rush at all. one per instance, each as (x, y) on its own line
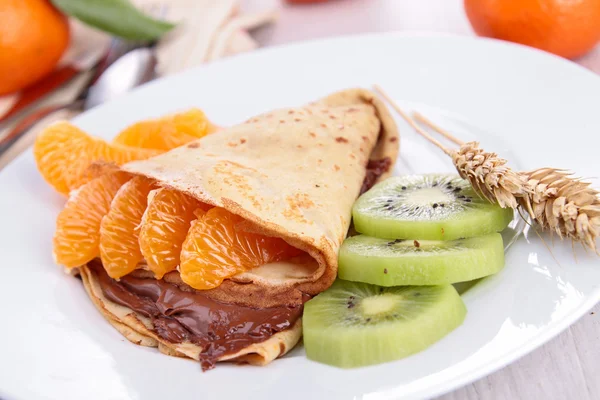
(568, 28)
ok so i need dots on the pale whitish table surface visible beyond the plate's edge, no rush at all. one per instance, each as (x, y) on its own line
(568, 366)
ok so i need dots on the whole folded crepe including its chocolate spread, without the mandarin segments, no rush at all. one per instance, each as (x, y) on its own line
(292, 173)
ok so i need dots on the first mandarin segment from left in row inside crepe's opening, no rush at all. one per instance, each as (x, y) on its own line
(77, 236)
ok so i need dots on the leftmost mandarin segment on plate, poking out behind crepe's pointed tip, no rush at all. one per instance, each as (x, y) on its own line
(63, 154)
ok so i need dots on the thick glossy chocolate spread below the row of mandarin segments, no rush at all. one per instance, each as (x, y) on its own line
(177, 315)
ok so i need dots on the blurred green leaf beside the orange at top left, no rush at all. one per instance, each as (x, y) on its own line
(117, 17)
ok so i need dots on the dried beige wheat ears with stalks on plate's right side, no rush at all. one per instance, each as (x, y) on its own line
(555, 199)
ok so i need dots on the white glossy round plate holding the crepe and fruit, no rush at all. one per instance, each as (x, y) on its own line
(536, 109)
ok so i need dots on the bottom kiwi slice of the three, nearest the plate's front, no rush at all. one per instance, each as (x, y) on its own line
(355, 324)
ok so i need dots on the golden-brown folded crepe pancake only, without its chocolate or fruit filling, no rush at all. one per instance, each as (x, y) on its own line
(292, 173)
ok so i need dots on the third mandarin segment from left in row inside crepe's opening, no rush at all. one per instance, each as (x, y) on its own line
(165, 225)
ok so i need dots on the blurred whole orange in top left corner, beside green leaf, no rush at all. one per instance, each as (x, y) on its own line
(33, 37)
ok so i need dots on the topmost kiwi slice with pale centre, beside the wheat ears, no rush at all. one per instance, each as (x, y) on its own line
(436, 207)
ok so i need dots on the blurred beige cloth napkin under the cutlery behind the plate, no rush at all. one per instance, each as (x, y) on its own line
(206, 30)
